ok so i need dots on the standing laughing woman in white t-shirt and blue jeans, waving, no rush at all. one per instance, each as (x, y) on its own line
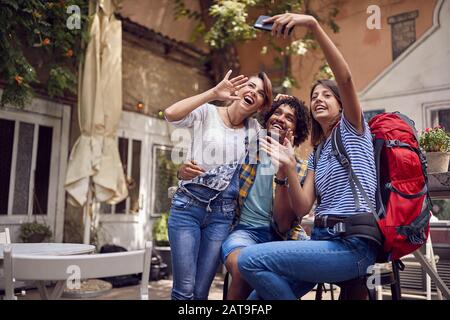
(204, 205)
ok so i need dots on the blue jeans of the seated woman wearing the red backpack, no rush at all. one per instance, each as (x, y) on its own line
(286, 270)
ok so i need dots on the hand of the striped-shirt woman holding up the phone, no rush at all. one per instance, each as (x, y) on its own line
(284, 23)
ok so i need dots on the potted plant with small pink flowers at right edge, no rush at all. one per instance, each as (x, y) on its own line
(436, 144)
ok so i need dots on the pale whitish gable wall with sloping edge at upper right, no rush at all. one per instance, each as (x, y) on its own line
(419, 80)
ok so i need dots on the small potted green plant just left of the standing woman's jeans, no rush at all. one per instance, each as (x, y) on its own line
(161, 239)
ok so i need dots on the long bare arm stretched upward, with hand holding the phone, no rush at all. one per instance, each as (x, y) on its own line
(341, 70)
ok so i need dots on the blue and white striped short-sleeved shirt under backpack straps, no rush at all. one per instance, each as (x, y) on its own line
(331, 179)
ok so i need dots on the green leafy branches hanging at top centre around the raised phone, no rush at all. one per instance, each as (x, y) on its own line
(223, 23)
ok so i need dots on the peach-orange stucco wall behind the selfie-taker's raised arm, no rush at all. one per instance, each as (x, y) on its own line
(368, 52)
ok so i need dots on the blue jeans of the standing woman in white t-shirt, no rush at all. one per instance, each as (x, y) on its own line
(196, 237)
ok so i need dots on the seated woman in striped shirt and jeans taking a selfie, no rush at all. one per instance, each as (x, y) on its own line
(288, 270)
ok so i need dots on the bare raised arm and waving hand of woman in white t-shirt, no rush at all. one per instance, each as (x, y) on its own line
(223, 91)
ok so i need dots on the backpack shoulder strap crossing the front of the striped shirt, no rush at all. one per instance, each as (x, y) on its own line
(343, 158)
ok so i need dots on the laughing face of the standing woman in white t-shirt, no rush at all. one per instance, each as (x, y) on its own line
(252, 95)
